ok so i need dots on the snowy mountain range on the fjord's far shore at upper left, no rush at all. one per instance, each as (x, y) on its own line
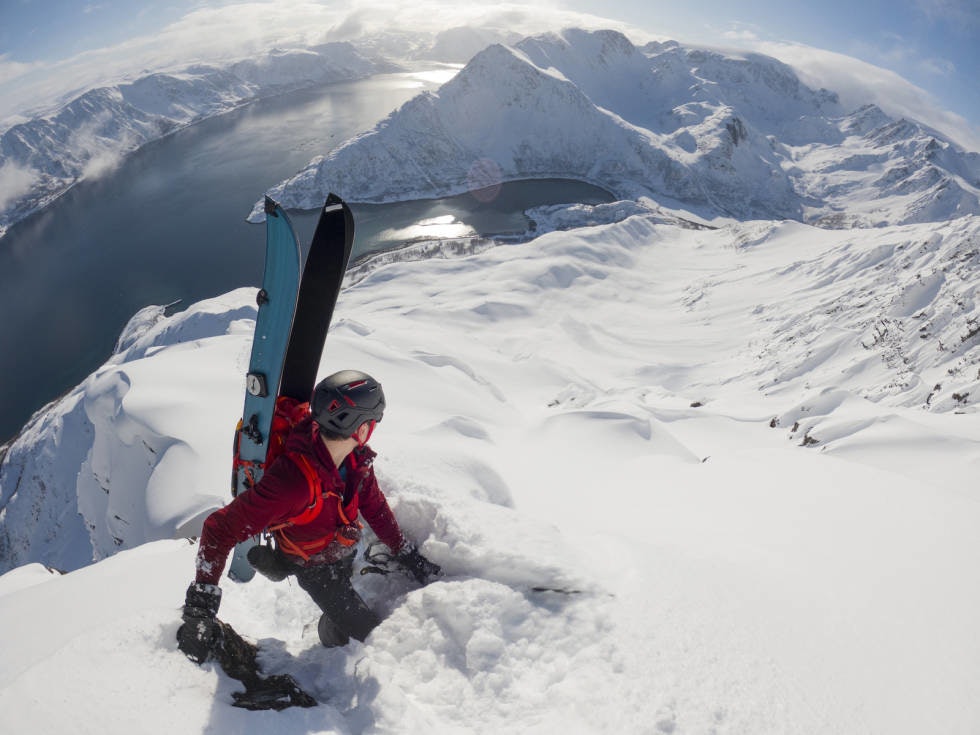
(42, 158)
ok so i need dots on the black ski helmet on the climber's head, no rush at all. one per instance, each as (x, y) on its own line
(343, 401)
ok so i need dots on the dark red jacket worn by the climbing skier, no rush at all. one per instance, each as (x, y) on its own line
(284, 492)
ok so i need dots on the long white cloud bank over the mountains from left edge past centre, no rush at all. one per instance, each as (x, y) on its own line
(214, 34)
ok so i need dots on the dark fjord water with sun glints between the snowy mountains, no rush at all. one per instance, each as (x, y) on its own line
(168, 224)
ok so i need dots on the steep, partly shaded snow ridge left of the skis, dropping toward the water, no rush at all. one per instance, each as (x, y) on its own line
(103, 442)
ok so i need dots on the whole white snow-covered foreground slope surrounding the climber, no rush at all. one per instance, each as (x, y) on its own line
(752, 448)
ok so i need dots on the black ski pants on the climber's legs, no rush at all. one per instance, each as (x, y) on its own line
(345, 614)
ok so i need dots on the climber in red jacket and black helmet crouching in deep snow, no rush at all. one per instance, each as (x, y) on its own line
(309, 498)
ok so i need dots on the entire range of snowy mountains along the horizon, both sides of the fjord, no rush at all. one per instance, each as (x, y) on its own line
(714, 133)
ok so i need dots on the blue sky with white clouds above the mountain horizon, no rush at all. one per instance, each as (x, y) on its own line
(934, 44)
